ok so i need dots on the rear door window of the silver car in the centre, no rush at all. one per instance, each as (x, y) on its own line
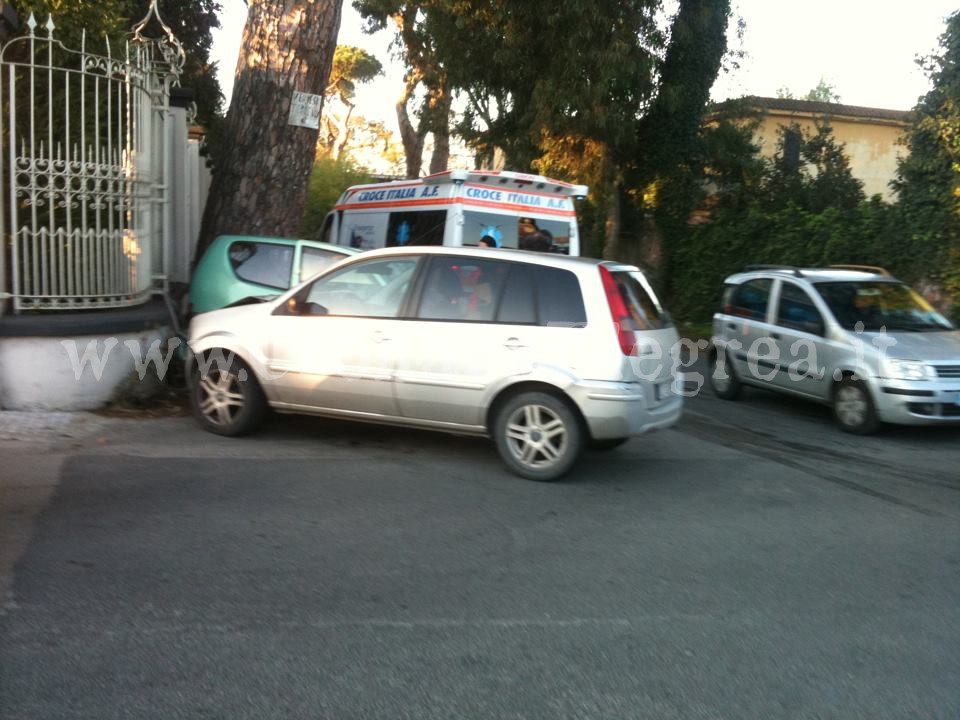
(462, 288)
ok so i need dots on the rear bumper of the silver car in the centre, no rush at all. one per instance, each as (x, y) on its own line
(617, 410)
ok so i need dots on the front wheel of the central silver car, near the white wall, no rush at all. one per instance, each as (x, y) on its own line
(227, 401)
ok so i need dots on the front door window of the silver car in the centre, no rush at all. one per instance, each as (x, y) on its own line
(376, 288)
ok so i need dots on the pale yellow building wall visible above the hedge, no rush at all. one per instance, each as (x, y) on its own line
(871, 145)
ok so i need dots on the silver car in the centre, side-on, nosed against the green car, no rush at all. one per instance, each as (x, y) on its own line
(544, 353)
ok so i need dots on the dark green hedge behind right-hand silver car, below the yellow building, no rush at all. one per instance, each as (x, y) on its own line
(769, 212)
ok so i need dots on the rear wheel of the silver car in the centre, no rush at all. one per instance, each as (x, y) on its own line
(538, 436)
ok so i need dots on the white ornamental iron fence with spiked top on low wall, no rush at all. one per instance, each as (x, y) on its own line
(84, 168)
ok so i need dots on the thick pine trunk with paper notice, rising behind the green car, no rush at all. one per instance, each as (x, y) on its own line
(261, 183)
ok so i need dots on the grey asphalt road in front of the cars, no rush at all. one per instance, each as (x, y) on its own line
(752, 563)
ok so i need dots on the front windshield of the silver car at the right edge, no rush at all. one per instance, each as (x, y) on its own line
(879, 304)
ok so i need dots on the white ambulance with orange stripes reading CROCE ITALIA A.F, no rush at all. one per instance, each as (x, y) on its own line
(457, 208)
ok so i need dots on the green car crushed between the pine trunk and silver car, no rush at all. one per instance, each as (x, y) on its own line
(236, 267)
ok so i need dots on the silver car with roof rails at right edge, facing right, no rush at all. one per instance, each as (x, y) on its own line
(849, 336)
